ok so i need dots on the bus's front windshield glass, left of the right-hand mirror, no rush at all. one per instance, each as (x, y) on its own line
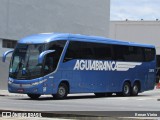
(24, 64)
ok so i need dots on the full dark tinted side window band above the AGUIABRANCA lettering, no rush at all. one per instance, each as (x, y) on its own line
(99, 51)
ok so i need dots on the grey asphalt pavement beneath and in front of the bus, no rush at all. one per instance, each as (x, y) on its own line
(85, 105)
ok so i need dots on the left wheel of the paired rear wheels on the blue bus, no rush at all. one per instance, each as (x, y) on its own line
(126, 90)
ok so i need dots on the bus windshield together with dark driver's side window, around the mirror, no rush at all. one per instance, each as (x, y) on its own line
(24, 63)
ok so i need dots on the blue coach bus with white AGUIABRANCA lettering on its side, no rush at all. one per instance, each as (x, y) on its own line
(61, 64)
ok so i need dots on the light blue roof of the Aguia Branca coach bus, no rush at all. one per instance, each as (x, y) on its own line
(49, 37)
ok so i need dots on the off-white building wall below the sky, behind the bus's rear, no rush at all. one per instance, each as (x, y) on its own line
(137, 31)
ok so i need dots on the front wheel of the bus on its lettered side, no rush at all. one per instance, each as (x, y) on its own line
(62, 91)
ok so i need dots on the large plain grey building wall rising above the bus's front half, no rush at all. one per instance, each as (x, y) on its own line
(20, 18)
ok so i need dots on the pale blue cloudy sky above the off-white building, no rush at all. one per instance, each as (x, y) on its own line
(135, 9)
